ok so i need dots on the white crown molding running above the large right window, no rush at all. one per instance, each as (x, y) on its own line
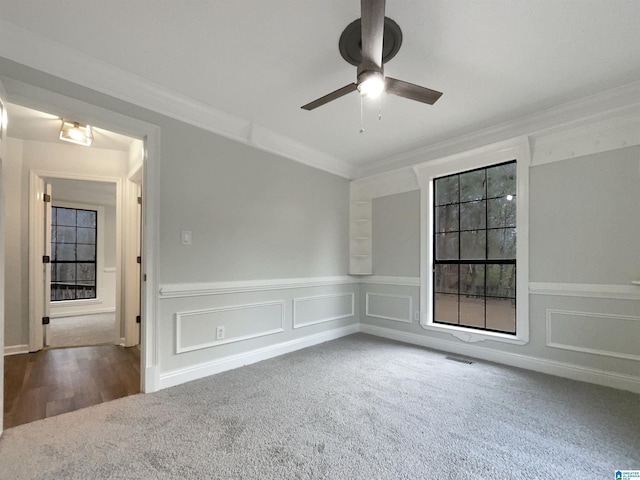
(603, 106)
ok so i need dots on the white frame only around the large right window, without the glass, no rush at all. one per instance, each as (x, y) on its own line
(517, 149)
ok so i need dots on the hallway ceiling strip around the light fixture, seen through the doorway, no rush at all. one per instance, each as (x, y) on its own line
(27, 124)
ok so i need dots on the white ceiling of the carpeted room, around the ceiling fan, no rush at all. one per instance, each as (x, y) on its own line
(495, 60)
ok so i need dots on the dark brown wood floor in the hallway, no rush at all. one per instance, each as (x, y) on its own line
(54, 381)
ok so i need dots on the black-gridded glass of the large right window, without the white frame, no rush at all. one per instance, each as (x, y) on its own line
(474, 249)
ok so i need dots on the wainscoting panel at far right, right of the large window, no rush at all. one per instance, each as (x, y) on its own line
(593, 333)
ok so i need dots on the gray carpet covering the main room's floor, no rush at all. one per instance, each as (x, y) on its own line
(355, 408)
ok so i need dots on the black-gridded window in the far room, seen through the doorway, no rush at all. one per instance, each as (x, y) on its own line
(73, 253)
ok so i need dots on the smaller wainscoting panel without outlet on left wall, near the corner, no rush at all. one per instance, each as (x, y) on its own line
(322, 308)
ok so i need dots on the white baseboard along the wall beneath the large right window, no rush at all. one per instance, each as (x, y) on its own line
(551, 367)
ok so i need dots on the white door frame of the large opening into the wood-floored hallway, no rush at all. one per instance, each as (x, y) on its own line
(41, 99)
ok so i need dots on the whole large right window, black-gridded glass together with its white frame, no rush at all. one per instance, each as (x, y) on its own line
(474, 279)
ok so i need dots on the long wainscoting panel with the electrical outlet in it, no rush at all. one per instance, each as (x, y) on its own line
(196, 330)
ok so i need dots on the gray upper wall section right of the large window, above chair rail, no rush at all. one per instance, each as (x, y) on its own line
(585, 219)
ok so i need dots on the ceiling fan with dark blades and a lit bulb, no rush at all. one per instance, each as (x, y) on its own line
(368, 43)
